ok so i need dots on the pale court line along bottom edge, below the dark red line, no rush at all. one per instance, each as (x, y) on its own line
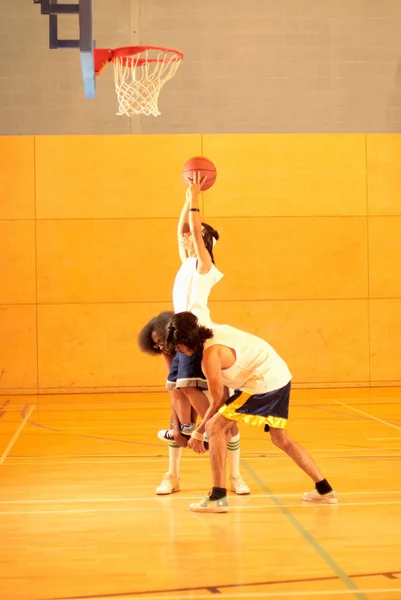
(300, 593)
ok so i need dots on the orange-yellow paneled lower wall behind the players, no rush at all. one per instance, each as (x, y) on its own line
(310, 246)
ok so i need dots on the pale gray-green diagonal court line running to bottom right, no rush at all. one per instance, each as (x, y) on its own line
(351, 585)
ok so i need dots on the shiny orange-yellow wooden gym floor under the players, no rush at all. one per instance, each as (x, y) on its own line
(79, 517)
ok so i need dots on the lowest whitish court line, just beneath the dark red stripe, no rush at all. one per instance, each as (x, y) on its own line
(194, 596)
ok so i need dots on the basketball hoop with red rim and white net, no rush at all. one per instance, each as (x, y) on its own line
(139, 74)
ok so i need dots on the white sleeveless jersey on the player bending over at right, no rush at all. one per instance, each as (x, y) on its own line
(257, 368)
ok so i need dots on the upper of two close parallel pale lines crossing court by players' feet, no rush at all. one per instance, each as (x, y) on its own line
(178, 498)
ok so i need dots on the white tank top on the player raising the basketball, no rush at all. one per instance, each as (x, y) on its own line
(191, 290)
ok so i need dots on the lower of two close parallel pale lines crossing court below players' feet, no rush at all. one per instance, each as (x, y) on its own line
(234, 508)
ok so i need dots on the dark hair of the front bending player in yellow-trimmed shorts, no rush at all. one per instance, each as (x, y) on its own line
(184, 329)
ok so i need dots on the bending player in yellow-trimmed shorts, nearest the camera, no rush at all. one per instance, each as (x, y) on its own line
(261, 380)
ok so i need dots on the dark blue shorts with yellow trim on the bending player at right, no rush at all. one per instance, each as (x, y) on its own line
(260, 410)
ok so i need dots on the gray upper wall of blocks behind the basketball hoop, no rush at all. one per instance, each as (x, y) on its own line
(251, 66)
